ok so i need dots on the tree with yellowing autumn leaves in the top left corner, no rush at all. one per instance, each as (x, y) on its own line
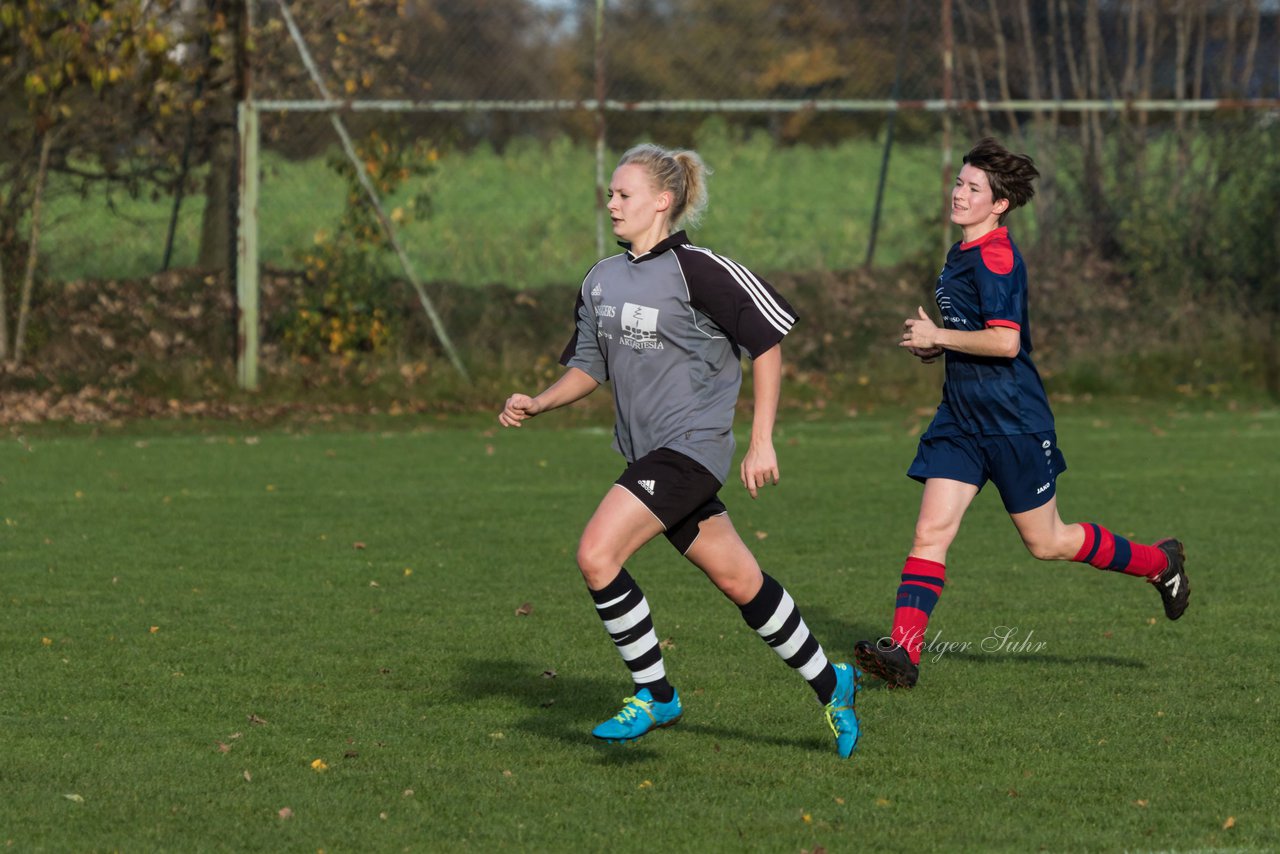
(92, 93)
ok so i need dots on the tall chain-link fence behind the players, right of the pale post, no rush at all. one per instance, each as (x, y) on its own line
(835, 125)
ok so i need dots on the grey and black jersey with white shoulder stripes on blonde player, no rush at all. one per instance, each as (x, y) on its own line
(668, 331)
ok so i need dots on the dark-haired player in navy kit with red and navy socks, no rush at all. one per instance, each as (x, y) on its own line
(994, 422)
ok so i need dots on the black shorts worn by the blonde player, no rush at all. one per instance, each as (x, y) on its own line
(678, 490)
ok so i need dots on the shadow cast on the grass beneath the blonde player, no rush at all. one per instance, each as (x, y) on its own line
(566, 707)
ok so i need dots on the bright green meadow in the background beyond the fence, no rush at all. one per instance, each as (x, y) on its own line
(527, 217)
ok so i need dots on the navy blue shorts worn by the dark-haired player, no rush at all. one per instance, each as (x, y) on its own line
(1025, 468)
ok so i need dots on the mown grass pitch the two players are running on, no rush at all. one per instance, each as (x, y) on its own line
(303, 638)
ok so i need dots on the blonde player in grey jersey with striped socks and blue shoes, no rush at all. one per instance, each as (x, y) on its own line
(666, 323)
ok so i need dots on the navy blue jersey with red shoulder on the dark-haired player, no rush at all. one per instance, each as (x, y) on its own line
(985, 285)
